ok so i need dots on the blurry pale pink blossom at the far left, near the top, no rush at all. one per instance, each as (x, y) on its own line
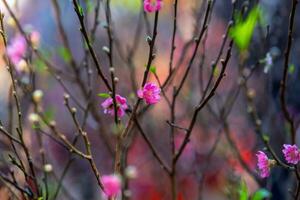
(16, 50)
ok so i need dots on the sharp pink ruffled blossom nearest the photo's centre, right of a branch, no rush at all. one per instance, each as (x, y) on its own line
(150, 93)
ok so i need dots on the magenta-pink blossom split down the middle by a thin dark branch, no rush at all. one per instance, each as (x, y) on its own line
(109, 107)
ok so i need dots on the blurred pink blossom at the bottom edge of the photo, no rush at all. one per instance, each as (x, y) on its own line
(112, 185)
